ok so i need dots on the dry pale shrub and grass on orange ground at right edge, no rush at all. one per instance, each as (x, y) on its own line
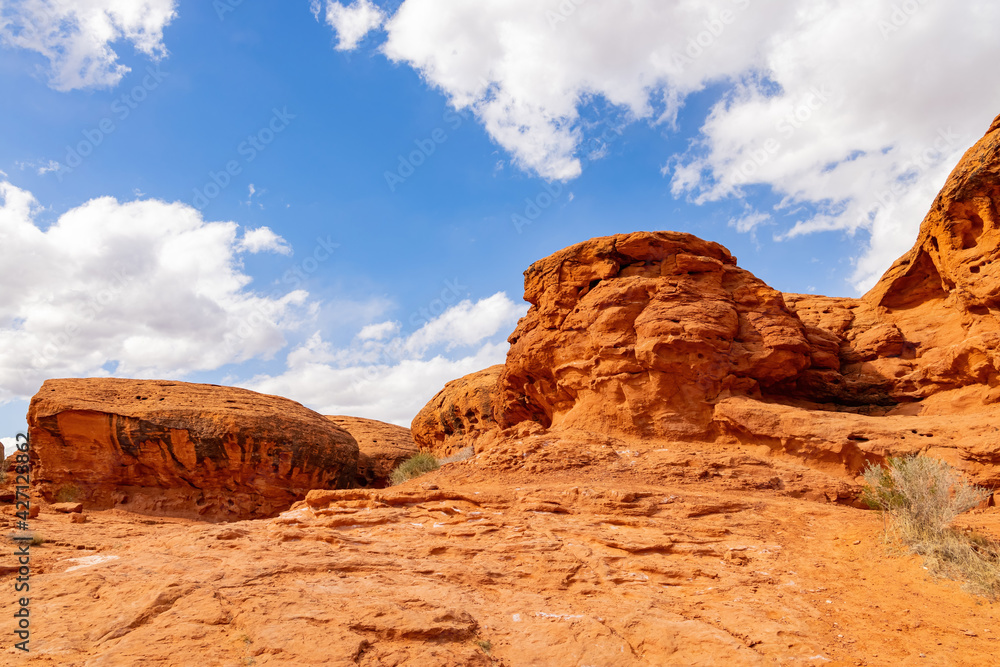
(920, 497)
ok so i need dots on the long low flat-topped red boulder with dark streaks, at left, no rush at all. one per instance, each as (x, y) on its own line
(182, 449)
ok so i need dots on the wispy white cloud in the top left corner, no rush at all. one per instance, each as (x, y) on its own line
(76, 36)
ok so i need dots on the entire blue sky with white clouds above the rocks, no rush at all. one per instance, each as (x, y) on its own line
(335, 202)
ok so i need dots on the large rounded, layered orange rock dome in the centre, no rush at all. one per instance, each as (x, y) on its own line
(639, 333)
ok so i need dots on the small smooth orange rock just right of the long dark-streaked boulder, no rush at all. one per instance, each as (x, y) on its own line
(382, 447)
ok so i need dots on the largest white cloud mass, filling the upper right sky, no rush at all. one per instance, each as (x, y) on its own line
(851, 110)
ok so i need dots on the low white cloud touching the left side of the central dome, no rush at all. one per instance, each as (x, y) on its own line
(391, 377)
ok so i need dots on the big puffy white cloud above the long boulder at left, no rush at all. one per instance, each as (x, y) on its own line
(143, 288)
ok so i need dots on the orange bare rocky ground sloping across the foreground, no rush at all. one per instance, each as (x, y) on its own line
(656, 555)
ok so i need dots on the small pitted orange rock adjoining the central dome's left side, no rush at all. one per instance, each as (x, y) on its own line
(458, 415)
